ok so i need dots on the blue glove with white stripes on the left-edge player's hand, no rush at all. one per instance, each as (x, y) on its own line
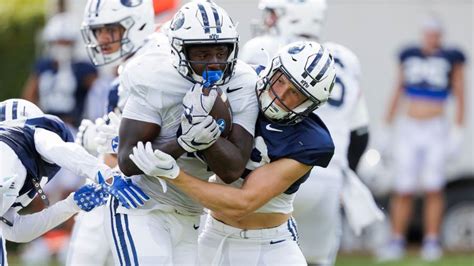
(122, 188)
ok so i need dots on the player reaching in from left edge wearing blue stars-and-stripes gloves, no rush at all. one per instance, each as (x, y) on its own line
(34, 147)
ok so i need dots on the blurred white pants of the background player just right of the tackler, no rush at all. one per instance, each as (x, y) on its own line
(317, 210)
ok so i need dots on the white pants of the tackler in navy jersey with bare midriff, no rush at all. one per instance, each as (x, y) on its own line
(221, 244)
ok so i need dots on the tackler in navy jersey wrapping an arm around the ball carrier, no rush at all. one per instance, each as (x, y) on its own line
(251, 221)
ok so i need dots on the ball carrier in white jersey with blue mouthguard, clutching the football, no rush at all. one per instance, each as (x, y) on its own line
(201, 41)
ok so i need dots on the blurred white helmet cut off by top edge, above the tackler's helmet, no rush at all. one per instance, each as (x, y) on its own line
(296, 18)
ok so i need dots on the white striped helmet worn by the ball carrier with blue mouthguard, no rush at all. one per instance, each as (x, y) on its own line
(200, 23)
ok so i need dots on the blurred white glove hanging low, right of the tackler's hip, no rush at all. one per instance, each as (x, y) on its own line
(359, 205)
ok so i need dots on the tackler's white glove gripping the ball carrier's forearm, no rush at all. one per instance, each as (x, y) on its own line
(154, 163)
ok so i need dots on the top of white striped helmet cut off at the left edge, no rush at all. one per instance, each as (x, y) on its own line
(13, 109)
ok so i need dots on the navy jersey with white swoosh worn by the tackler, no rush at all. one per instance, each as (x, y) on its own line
(308, 142)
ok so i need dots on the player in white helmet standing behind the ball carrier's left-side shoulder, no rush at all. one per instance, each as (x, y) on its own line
(113, 32)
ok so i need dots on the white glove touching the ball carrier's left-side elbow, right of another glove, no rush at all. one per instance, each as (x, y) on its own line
(107, 138)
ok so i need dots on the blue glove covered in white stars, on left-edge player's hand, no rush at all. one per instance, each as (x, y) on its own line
(90, 196)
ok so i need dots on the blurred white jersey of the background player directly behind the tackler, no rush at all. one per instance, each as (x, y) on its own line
(345, 109)
